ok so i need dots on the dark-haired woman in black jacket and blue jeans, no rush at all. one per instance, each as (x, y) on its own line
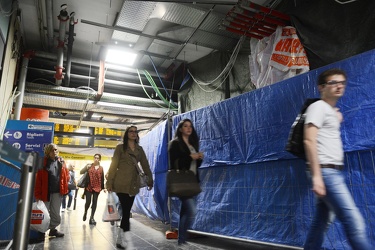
(184, 155)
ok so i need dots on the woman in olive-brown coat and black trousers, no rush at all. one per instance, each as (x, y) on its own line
(123, 178)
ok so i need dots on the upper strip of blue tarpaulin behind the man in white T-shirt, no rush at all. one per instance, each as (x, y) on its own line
(254, 127)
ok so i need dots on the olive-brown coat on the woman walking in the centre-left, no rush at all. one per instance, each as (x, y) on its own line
(122, 174)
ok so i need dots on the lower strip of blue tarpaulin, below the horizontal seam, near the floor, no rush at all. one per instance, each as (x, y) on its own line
(272, 201)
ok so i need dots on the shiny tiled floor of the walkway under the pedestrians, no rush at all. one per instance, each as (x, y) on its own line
(146, 234)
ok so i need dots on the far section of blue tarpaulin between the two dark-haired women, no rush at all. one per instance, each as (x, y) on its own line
(154, 203)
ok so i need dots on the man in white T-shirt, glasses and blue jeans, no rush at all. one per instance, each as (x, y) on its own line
(325, 159)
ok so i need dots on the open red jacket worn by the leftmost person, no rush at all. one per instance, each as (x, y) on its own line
(41, 191)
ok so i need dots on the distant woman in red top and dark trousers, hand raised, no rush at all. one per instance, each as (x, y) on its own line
(94, 187)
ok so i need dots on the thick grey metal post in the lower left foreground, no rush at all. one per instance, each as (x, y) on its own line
(25, 200)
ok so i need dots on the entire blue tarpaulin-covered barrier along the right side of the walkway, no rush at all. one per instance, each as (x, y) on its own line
(253, 188)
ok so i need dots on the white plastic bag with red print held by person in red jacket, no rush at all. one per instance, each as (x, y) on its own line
(39, 217)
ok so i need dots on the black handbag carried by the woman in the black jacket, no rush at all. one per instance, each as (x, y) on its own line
(182, 183)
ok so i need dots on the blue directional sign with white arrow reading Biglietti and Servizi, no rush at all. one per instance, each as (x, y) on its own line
(29, 136)
